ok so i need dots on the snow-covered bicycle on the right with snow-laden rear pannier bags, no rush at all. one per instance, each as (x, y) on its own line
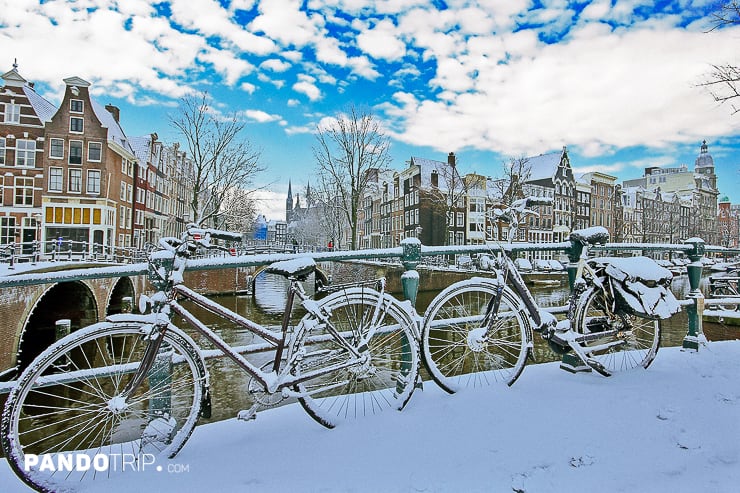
(478, 332)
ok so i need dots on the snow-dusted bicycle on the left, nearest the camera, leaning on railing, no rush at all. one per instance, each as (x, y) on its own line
(133, 387)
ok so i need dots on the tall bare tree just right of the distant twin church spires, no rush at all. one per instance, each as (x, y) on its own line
(348, 151)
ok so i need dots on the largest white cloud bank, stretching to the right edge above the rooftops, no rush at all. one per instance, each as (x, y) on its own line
(643, 93)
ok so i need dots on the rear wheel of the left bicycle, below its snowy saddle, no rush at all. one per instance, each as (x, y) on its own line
(386, 373)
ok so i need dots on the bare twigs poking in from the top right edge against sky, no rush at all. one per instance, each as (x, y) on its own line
(724, 79)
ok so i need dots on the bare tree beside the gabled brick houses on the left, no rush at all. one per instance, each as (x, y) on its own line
(223, 164)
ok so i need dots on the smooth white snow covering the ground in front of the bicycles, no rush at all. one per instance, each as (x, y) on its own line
(673, 428)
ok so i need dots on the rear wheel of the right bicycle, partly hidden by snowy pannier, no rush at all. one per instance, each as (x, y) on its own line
(628, 342)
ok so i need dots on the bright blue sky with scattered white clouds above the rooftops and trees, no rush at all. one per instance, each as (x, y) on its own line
(615, 81)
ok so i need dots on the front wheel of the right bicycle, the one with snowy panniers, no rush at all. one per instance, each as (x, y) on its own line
(455, 348)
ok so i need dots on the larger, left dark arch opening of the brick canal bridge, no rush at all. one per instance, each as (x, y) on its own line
(66, 300)
